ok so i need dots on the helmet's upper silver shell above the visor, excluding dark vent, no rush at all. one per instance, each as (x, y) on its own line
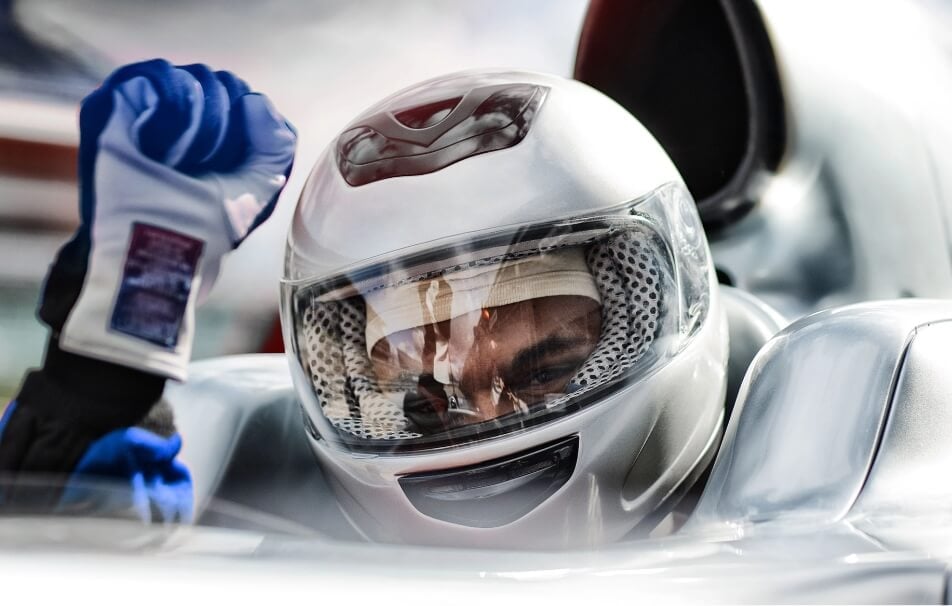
(578, 155)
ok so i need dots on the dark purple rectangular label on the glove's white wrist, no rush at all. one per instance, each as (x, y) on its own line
(156, 282)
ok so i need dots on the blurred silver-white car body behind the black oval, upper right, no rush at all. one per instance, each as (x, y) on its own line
(858, 210)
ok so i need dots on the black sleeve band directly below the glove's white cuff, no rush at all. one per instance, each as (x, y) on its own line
(97, 396)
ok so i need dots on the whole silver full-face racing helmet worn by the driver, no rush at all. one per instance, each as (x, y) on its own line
(504, 332)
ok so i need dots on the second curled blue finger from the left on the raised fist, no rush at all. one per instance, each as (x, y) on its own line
(212, 124)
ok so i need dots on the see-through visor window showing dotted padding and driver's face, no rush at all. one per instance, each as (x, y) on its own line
(486, 344)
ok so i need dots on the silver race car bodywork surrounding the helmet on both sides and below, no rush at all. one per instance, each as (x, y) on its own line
(830, 485)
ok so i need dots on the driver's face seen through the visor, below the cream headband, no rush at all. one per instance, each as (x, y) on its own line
(491, 362)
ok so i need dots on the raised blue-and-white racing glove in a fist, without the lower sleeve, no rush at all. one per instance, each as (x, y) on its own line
(177, 166)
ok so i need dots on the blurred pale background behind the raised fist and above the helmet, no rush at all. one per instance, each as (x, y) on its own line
(320, 62)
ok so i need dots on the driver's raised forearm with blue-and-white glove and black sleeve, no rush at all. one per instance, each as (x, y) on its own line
(177, 165)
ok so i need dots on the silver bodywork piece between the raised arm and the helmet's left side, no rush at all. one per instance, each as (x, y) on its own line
(245, 442)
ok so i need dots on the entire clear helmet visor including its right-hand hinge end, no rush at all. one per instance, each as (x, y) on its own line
(495, 332)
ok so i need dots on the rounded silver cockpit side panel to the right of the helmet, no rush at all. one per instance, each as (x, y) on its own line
(810, 416)
